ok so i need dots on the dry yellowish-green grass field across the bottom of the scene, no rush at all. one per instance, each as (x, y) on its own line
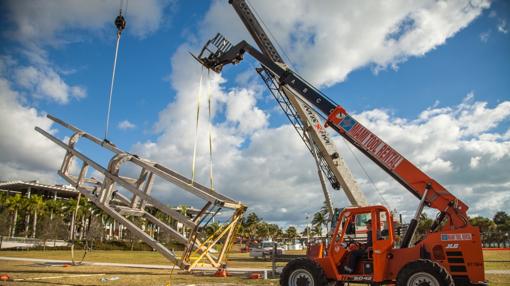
(134, 276)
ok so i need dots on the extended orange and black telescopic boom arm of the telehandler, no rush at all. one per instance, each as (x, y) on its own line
(407, 174)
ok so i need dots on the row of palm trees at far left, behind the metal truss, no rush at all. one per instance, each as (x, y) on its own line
(37, 217)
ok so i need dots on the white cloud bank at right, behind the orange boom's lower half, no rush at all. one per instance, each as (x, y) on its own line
(466, 154)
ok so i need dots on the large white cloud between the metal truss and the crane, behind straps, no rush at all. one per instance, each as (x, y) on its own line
(252, 163)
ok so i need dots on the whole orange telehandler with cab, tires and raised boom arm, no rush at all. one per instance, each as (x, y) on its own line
(450, 253)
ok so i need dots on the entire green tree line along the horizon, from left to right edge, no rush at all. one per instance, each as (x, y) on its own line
(37, 217)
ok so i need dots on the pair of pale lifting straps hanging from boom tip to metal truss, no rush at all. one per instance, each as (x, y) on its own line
(209, 97)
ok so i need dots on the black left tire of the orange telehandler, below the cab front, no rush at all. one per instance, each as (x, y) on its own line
(303, 272)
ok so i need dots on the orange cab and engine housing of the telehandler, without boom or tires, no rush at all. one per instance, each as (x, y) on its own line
(457, 251)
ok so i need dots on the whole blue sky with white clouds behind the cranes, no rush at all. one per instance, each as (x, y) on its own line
(416, 90)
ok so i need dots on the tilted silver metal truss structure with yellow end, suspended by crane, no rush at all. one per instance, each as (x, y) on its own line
(199, 248)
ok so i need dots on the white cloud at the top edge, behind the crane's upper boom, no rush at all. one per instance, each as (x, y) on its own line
(326, 40)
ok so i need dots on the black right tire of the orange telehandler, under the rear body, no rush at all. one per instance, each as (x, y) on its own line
(424, 272)
